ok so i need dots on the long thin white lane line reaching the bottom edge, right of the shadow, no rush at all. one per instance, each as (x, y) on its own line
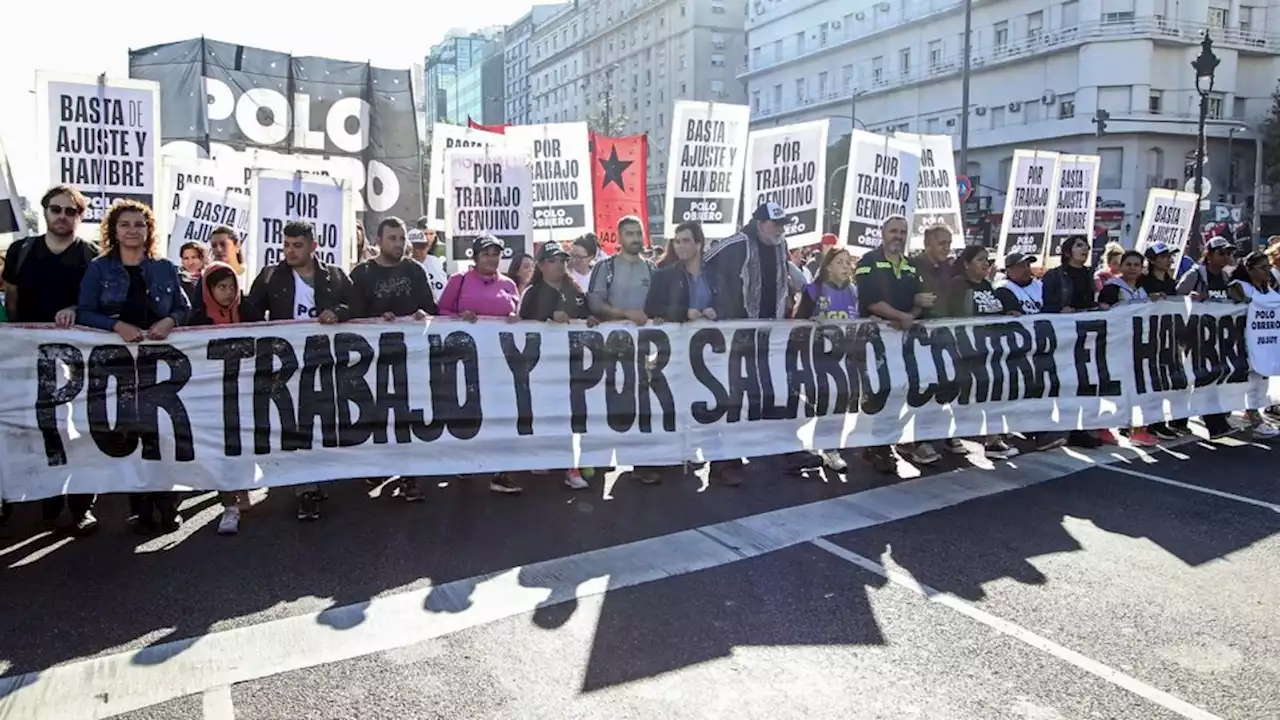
(1020, 634)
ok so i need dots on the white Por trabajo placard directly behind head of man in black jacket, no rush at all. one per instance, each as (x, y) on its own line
(326, 203)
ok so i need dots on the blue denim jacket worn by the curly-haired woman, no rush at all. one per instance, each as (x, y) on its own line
(107, 285)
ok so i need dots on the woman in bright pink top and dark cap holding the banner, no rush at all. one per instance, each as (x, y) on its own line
(484, 293)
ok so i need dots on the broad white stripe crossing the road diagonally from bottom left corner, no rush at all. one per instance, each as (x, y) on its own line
(108, 686)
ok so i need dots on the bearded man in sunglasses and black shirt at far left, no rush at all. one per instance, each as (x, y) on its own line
(53, 265)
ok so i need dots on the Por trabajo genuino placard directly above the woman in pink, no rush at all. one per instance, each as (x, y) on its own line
(488, 193)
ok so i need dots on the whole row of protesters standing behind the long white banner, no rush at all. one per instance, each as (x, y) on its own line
(125, 285)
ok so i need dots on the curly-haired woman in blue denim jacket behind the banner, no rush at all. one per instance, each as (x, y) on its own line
(135, 294)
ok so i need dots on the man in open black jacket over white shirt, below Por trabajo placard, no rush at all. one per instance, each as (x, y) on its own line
(298, 289)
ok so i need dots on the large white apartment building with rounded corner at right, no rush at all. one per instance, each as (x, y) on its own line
(1040, 71)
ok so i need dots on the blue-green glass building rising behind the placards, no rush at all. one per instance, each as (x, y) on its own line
(456, 81)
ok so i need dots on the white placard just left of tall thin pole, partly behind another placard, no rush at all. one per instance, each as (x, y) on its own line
(938, 200)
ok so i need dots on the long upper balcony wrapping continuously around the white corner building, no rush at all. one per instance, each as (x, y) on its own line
(981, 58)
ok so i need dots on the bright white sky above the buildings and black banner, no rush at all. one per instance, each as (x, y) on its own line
(90, 38)
